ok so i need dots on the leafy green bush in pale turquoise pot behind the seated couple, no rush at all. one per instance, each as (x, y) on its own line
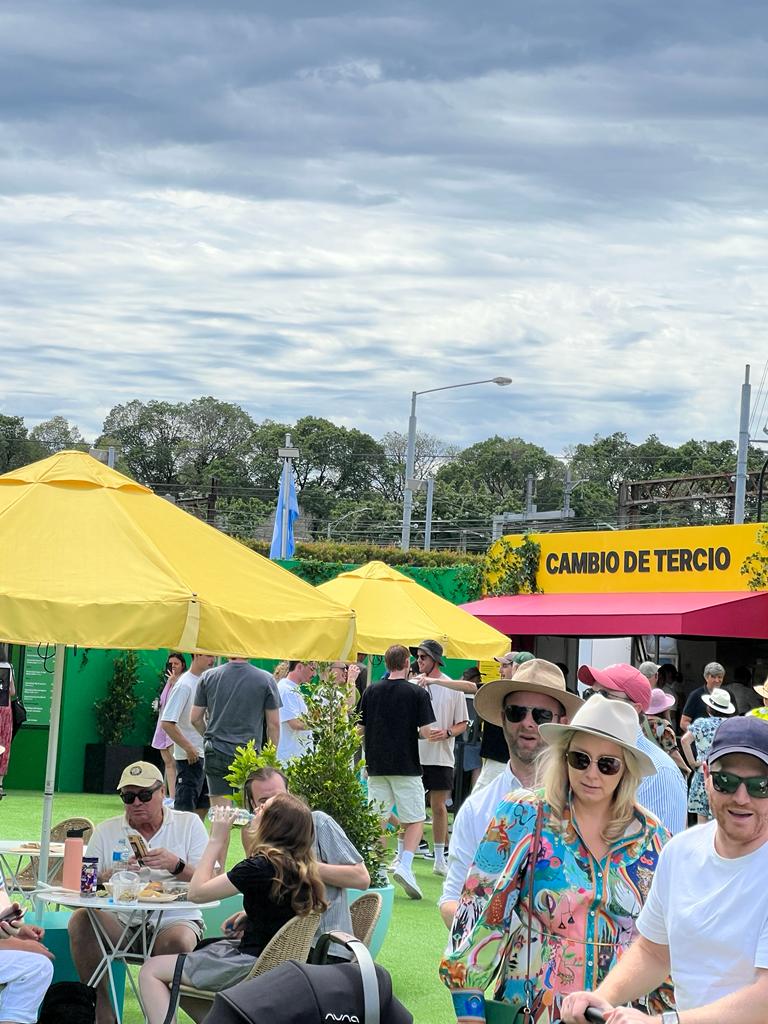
(327, 778)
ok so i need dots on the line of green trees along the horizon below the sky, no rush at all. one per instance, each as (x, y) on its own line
(181, 448)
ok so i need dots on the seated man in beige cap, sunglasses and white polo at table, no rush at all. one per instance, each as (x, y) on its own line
(176, 841)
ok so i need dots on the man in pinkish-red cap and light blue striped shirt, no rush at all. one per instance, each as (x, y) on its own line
(665, 794)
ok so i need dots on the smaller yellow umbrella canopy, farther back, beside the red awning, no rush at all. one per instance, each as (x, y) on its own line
(393, 609)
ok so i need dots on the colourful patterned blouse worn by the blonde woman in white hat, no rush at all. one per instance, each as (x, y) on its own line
(584, 911)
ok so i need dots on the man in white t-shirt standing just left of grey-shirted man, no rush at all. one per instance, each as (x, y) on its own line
(192, 791)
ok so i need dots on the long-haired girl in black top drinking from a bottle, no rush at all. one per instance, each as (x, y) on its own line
(279, 881)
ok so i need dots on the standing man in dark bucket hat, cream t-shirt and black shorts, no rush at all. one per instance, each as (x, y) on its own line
(437, 752)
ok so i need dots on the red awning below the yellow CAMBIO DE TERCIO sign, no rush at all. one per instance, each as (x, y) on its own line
(716, 615)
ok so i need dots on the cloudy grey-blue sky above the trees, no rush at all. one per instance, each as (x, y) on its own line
(313, 207)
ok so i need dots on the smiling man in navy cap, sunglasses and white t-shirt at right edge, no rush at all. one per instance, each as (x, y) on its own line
(706, 920)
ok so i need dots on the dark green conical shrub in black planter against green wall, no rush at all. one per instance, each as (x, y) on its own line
(115, 719)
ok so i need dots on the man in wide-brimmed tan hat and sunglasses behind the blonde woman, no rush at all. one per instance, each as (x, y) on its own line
(536, 695)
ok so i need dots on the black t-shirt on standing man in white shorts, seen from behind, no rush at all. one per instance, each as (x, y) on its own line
(392, 713)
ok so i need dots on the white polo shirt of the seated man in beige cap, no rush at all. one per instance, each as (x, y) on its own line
(182, 832)
